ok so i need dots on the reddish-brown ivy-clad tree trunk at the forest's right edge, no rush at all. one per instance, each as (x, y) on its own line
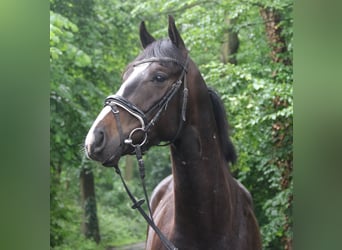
(281, 128)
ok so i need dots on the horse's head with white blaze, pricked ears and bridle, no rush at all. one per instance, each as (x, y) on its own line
(148, 107)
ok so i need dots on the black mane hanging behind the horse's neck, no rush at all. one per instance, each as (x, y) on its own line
(227, 146)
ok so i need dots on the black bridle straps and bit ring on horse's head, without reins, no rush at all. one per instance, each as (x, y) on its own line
(117, 100)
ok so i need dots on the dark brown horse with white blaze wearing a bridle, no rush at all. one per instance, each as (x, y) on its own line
(164, 99)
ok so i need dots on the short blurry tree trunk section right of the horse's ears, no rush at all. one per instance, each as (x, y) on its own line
(230, 44)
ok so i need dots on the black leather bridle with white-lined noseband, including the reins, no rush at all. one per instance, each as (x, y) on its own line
(116, 100)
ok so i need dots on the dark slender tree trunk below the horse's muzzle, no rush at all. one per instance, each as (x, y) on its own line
(90, 225)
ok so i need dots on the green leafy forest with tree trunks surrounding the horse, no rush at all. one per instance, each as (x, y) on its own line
(244, 51)
